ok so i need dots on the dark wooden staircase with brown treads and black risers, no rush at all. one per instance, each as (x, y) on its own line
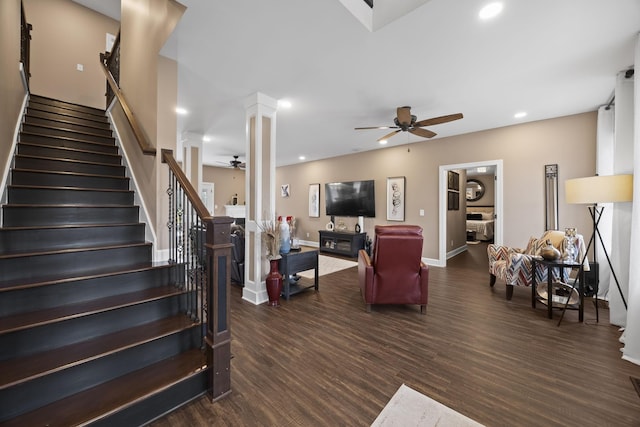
(91, 330)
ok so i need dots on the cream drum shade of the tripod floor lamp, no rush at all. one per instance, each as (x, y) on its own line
(599, 189)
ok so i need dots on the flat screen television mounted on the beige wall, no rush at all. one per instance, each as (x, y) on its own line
(355, 198)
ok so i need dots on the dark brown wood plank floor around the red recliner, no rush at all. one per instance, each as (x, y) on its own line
(321, 360)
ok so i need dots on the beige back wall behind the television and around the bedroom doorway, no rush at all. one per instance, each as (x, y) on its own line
(525, 149)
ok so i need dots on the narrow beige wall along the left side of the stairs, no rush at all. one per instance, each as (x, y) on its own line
(11, 90)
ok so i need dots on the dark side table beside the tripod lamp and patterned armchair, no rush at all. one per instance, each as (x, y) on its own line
(562, 266)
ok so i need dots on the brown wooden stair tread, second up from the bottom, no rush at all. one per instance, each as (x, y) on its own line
(23, 369)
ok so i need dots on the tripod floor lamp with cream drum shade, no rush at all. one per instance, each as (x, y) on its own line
(594, 190)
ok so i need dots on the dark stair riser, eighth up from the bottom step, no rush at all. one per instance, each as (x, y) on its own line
(46, 196)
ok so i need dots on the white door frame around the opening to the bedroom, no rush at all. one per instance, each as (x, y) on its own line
(442, 196)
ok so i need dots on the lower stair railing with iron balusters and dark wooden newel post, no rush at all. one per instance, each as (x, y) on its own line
(200, 247)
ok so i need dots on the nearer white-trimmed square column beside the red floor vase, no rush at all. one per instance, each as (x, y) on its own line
(260, 187)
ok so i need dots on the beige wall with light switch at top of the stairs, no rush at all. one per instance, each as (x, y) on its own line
(66, 34)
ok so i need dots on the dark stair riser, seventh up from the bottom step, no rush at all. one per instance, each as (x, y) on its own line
(29, 216)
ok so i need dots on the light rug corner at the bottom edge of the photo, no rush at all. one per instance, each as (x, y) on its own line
(410, 408)
